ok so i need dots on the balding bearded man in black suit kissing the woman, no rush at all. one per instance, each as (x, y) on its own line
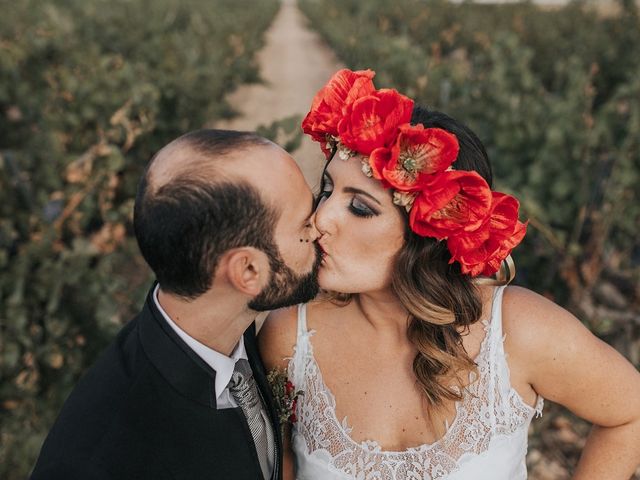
(224, 219)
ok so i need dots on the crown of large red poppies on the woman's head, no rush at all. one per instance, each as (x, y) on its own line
(349, 116)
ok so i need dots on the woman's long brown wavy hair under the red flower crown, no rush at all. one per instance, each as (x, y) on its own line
(442, 301)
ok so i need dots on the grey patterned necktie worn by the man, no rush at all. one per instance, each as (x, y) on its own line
(245, 392)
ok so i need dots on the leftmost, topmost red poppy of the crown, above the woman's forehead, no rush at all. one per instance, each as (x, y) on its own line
(330, 102)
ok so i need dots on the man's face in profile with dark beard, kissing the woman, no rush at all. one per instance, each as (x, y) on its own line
(296, 256)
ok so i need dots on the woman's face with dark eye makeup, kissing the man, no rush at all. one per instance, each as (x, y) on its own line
(361, 230)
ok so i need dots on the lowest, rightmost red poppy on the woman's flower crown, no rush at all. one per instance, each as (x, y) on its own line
(482, 251)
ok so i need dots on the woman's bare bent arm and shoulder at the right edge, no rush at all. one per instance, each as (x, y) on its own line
(565, 363)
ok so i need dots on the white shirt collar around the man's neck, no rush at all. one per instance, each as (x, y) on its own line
(222, 364)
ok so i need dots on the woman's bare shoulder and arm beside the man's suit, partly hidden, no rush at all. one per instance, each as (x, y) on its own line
(276, 340)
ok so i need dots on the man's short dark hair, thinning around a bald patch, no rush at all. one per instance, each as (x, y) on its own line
(185, 225)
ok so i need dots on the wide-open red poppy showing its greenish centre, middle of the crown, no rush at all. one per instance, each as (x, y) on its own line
(417, 152)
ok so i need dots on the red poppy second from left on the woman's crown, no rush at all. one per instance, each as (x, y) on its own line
(372, 121)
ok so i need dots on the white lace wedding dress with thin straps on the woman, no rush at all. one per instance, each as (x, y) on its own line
(486, 440)
